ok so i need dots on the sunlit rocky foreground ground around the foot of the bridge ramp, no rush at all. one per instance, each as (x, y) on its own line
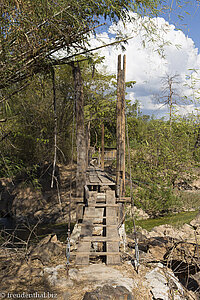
(169, 269)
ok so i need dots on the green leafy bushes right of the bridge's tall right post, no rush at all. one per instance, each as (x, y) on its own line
(161, 155)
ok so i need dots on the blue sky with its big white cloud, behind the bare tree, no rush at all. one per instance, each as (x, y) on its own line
(152, 57)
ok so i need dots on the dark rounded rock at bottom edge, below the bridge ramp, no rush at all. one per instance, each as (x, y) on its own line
(108, 292)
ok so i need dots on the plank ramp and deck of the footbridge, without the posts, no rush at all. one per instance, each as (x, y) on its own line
(100, 219)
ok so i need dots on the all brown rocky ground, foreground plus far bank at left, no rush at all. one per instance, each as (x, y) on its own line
(169, 257)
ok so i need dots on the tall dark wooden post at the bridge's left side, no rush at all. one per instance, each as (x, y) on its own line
(80, 132)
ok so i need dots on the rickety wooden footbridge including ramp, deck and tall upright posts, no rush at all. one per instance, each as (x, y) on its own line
(101, 211)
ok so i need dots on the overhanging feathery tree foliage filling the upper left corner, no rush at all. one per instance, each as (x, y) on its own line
(32, 31)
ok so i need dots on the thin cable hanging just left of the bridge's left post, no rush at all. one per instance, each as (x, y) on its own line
(70, 194)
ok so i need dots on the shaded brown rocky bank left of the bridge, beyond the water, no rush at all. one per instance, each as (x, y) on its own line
(40, 204)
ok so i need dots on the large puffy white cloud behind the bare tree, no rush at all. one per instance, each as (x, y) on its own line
(145, 65)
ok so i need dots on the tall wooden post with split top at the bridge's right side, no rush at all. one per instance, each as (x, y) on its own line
(120, 170)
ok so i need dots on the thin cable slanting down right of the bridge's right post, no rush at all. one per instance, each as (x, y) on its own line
(136, 261)
